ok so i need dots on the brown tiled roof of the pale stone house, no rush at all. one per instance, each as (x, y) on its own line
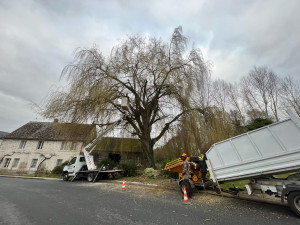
(53, 131)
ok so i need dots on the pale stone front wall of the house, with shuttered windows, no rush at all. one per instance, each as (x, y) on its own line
(21, 159)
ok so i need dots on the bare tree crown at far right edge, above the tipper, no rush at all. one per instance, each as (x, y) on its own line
(291, 94)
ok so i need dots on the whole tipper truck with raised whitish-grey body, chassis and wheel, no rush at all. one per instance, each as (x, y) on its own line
(257, 156)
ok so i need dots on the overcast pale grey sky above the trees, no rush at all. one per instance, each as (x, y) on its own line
(38, 38)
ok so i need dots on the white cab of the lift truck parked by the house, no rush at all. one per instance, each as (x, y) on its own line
(76, 164)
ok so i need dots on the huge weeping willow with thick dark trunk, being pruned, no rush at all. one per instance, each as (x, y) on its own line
(157, 77)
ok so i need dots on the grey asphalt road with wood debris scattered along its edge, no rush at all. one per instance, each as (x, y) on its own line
(27, 201)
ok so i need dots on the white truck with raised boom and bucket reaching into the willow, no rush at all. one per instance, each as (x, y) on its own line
(84, 166)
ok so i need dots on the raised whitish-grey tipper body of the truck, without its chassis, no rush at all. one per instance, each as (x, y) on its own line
(272, 149)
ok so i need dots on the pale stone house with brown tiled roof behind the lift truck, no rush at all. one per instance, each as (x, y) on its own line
(42, 145)
